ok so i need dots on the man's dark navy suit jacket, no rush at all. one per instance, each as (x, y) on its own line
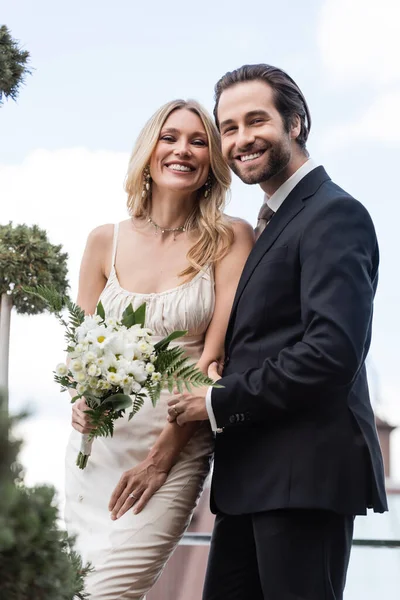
(298, 427)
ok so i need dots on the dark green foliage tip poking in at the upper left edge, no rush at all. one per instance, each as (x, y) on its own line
(13, 65)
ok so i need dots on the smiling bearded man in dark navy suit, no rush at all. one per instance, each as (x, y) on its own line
(296, 454)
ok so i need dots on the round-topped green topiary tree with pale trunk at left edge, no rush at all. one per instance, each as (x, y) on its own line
(27, 258)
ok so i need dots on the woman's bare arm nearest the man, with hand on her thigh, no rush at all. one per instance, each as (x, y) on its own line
(147, 477)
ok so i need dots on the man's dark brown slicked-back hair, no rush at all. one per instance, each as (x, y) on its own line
(289, 100)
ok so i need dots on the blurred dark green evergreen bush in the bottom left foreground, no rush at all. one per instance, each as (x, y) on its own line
(37, 559)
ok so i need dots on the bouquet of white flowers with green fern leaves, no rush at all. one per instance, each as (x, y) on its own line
(115, 364)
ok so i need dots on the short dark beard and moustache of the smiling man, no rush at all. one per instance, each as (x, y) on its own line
(275, 161)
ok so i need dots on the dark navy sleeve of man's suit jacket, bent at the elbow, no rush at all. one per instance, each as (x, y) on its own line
(338, 262)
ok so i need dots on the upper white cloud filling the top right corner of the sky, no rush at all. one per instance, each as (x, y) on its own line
(359, 41)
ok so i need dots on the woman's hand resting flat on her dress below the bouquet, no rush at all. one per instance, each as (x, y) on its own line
(135, 488)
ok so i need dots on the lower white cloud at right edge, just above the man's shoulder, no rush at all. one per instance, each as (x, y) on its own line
(378, 123)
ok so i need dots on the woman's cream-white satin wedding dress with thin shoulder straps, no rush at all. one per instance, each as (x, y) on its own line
(129, 554)
